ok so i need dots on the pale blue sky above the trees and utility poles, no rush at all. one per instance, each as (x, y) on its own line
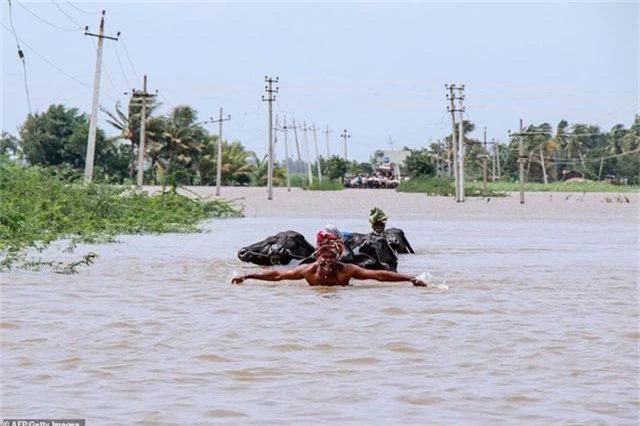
(377, 69)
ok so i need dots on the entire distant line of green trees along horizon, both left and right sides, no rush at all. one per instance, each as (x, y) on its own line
(180, 150)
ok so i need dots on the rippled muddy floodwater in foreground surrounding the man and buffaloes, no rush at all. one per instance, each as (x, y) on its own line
(526, 322)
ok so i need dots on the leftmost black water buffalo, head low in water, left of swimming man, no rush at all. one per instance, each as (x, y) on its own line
(279, 249)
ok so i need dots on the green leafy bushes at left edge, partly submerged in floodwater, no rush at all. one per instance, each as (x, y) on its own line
(38, 207)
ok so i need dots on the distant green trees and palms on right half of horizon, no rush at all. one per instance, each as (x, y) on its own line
(550, 154)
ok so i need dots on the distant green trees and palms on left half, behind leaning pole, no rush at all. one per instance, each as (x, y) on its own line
(178, 148)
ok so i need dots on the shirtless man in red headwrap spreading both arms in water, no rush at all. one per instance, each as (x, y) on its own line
(327, 270)
